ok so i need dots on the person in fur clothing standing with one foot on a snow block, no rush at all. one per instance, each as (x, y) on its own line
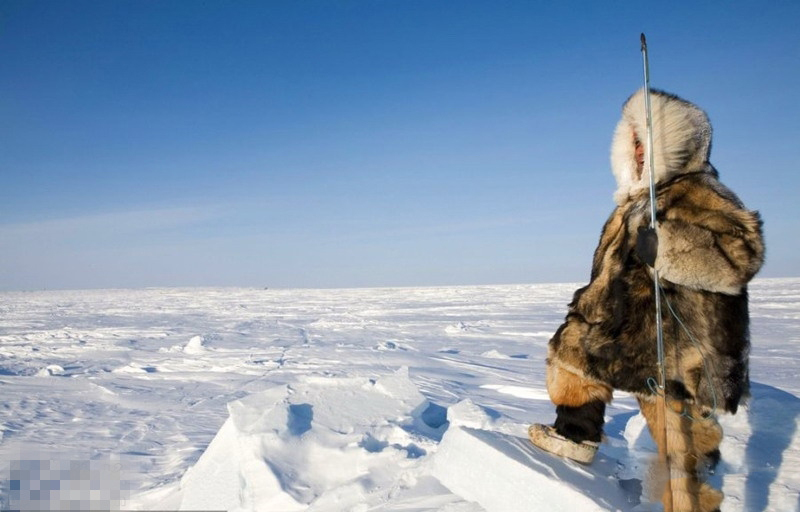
(706, 247)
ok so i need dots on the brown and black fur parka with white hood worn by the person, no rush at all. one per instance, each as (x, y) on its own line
(709, 247)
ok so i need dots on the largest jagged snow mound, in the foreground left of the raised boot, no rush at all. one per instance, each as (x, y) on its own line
(335, 443)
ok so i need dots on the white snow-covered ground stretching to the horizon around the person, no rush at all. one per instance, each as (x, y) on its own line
(329, 400)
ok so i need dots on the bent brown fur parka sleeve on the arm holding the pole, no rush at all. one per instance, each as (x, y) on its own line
(709, 244)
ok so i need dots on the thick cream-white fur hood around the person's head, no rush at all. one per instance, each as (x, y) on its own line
(681, 141)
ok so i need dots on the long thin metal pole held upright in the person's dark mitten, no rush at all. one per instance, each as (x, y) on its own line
(662, 406)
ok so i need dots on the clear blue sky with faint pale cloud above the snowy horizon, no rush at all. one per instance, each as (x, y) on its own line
(363, 143)
